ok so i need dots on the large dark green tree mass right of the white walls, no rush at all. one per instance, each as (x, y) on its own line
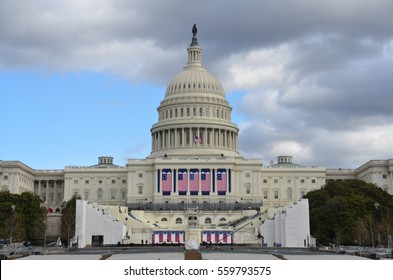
(351, 212)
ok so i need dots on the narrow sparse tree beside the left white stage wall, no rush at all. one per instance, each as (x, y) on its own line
(68, 219)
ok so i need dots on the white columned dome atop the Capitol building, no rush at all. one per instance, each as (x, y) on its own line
(194, 117)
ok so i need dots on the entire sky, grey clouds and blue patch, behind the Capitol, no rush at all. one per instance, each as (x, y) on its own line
(311, 79)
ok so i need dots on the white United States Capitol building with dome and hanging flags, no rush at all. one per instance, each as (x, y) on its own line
(194, 184)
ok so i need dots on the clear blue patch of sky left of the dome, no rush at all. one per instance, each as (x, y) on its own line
(61, 119)
